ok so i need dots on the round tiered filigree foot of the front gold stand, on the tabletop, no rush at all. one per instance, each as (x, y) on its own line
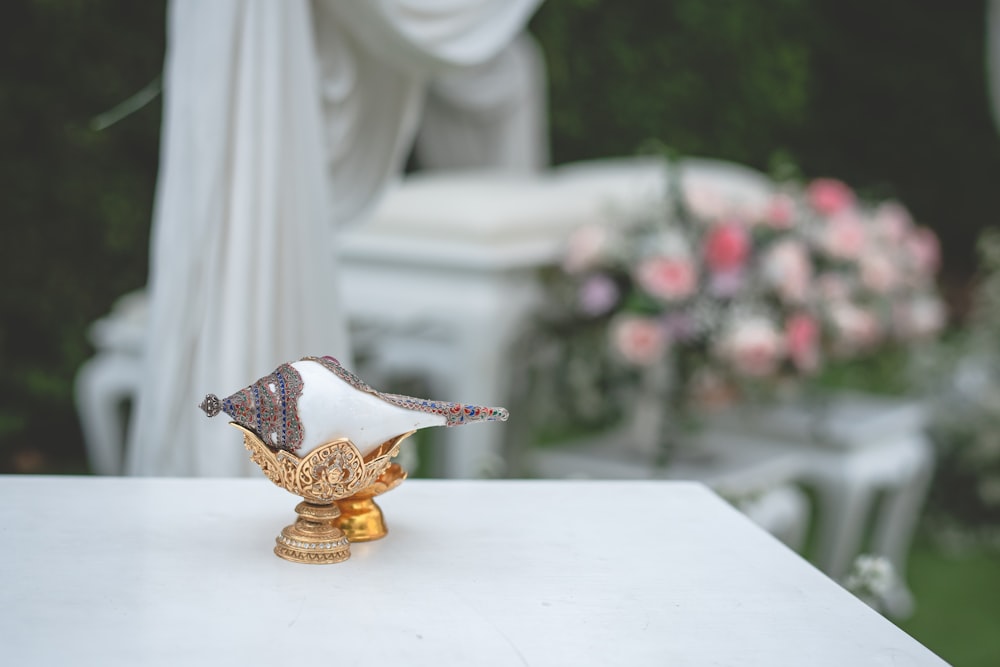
(314, 537)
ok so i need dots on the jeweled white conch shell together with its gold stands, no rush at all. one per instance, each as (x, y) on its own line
(319, 431)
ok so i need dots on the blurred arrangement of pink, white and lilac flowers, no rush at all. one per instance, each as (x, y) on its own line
(739, 296)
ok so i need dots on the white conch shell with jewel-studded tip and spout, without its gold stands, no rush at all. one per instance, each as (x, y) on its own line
(308, 403)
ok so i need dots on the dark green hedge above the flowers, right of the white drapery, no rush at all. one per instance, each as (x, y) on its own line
(887, 96)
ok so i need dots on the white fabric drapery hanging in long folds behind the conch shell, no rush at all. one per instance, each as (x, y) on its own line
(281, 121)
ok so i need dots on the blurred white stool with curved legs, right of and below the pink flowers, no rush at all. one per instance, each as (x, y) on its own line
(870, 462)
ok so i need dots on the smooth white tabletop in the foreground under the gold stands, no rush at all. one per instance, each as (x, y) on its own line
(111, 571)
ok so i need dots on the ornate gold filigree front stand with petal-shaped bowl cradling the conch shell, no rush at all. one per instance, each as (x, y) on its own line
(334, 471)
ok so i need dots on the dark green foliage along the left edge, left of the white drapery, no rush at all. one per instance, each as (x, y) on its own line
(76, 204)
